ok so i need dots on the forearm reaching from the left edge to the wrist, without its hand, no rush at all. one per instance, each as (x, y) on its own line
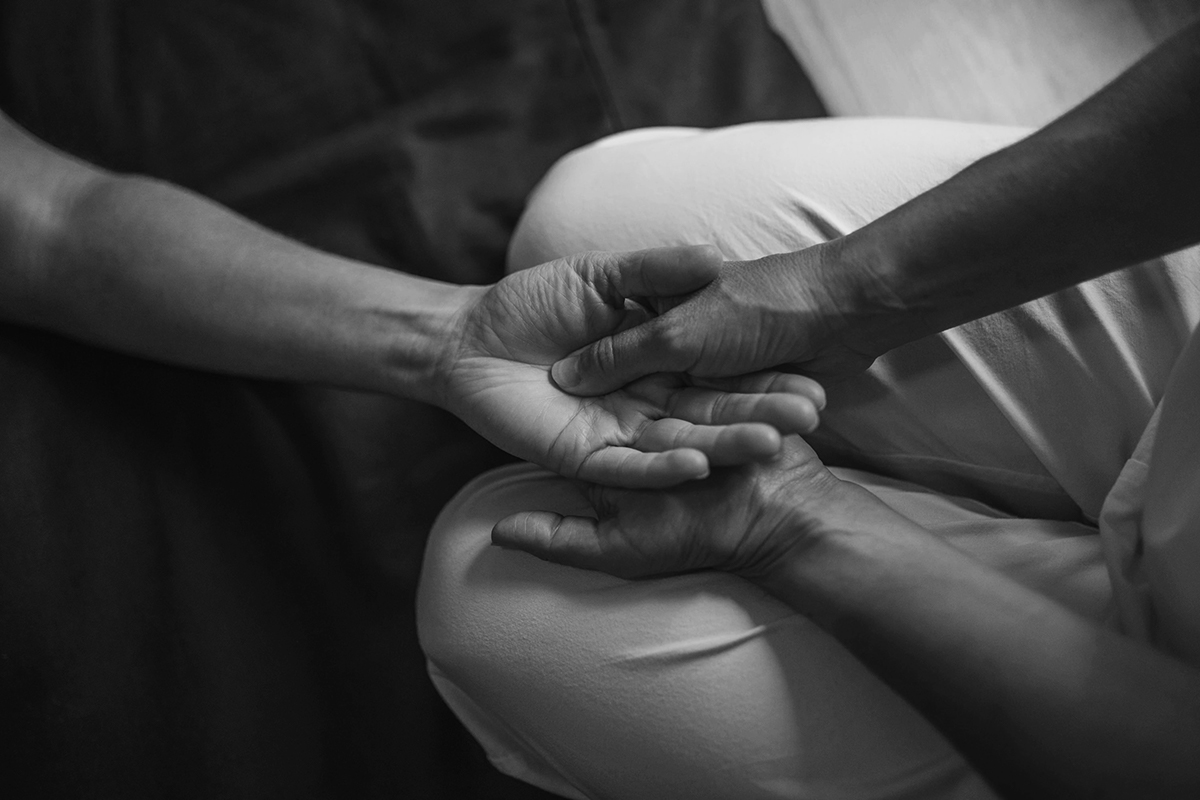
(149, 269)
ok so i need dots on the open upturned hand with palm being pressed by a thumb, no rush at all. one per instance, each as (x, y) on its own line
(659, 431)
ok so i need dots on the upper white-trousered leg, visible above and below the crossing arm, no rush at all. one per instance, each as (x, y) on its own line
(1034, 411)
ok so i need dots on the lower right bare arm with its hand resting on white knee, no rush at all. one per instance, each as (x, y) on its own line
(1041, 701)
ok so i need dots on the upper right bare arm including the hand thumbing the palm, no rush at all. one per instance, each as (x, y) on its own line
(1108, 185)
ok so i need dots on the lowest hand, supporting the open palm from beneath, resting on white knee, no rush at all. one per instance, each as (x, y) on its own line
(742, 520)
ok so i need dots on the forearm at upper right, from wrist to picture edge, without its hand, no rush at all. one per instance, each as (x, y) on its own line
(1113, 183)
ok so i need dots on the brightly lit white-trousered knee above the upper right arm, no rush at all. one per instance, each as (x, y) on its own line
(751, 190)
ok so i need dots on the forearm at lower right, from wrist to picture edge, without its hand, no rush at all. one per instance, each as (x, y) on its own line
(1042, 702)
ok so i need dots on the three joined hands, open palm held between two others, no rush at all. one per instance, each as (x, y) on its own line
(658, 376)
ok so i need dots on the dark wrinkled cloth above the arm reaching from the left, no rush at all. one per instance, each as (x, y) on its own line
(404, 134)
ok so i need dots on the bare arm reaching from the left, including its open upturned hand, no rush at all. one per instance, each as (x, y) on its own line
(147, 268)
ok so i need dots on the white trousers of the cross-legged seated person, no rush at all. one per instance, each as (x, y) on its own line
(703, 687)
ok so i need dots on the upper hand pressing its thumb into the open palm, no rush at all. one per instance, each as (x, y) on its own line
(783, 311)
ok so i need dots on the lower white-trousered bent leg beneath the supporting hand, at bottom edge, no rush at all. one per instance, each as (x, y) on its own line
(698, 687)
